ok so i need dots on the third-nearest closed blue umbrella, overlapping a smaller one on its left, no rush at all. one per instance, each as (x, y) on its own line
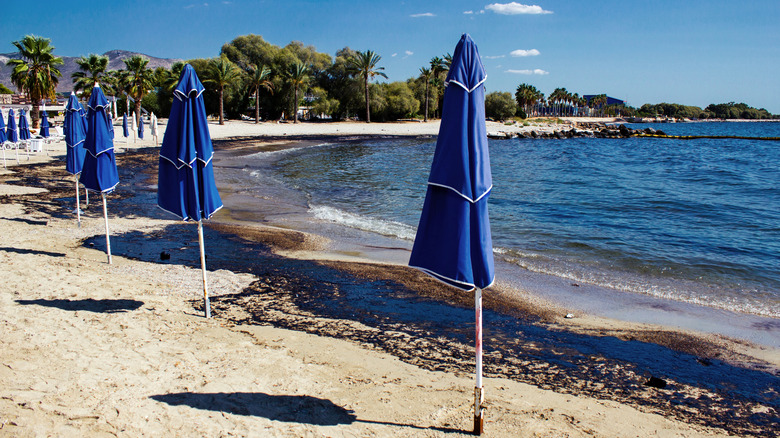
(100, 173)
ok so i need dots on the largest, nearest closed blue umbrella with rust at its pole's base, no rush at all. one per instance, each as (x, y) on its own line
(453, 242)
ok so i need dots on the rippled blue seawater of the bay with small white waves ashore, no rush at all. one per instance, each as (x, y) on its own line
(690, 220)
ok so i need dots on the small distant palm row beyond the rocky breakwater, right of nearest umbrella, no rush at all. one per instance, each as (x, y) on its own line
(559, 103)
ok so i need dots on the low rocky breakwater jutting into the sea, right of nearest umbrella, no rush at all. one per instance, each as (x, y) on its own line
(592, 130)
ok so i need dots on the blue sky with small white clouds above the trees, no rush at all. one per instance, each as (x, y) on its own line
(692, 52)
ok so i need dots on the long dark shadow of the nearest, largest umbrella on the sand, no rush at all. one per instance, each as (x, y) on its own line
(302, 409)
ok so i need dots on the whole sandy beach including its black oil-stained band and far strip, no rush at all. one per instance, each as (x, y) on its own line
(91, 349)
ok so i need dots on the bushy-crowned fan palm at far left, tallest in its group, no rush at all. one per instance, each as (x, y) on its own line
(36, 72)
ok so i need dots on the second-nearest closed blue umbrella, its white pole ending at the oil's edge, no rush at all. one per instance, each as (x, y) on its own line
(186, 184)
